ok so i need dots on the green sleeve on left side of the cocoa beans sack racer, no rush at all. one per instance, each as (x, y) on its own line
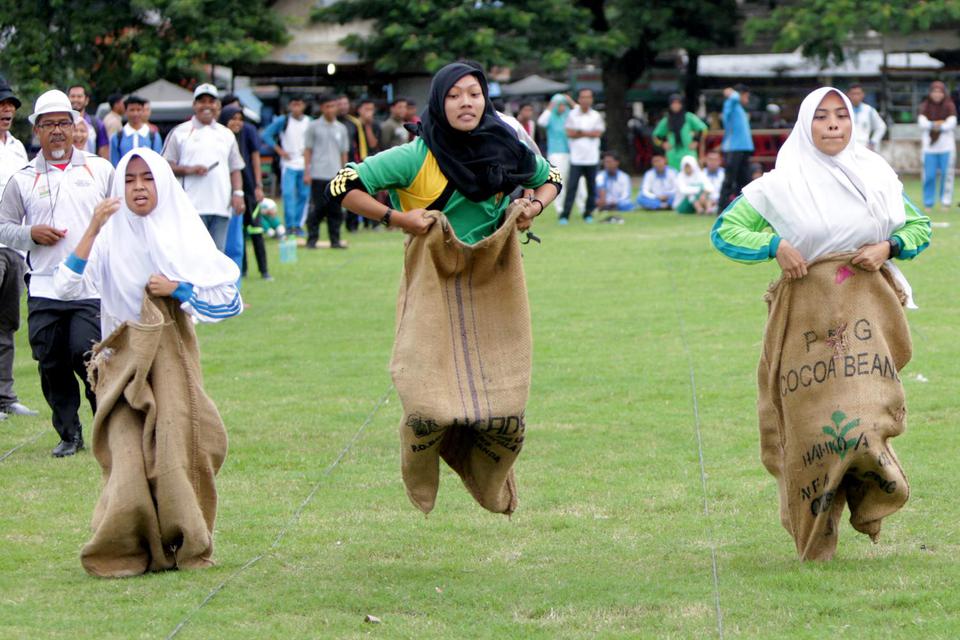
(743, 235)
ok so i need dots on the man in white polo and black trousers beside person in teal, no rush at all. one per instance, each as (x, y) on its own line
(584, 127)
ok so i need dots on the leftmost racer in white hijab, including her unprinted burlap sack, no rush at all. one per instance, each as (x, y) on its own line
(157, 436)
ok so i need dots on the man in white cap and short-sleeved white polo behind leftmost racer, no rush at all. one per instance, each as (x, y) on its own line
(205, 155)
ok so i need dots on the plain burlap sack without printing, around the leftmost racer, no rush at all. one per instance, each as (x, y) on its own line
(160, 441)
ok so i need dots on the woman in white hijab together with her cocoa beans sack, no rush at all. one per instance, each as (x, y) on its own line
(832, 213)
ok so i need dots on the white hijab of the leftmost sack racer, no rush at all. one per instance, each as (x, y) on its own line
(171, 240)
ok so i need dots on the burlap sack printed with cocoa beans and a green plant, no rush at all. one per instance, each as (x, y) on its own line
(830, 396)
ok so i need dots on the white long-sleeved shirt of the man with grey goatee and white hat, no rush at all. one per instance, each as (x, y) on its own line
(65, 199)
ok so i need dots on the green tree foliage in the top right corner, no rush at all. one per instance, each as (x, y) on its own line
(823, 28)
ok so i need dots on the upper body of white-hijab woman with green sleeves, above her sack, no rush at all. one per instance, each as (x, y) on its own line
(827, 194)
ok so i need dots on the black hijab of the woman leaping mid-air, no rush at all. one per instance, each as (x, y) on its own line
(480, 163)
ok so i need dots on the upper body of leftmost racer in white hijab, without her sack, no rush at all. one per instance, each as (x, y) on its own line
(148, 236)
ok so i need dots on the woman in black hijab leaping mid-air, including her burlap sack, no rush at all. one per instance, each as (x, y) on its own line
(462, 356)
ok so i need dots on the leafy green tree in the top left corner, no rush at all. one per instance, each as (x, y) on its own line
(118, 45)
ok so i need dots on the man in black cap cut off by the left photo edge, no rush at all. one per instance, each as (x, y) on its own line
(13, 157)
